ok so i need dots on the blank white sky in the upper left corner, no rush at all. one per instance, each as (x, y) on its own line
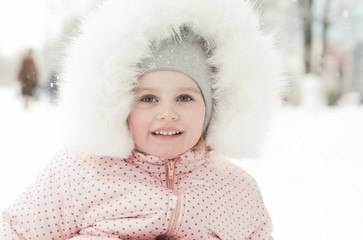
(29, 23)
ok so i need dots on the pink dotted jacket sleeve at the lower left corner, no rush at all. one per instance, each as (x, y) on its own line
(45, 209)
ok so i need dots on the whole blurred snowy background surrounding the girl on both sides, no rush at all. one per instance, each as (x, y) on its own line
(310, 172)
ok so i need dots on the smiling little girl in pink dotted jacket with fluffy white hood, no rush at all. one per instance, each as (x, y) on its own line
(158, 95)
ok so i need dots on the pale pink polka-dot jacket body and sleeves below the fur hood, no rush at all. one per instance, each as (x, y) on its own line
(88, 197)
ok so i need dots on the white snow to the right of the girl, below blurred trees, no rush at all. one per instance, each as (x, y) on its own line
(311, 176)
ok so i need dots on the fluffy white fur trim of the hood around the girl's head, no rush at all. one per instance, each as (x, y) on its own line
(100, 72)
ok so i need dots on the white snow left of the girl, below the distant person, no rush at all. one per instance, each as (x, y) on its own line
(28, 140)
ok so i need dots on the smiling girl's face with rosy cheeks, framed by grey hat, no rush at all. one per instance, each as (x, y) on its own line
(168, 115)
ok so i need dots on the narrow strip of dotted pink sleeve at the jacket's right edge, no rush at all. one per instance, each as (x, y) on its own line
(261, 224)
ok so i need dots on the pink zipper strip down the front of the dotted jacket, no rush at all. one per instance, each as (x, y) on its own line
(175, 197)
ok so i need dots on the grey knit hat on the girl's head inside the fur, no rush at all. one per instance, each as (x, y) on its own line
(187, 56)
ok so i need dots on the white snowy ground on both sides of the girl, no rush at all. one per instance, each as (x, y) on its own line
(310, 176)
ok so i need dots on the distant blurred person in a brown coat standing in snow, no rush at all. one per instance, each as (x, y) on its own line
(28, 77)
